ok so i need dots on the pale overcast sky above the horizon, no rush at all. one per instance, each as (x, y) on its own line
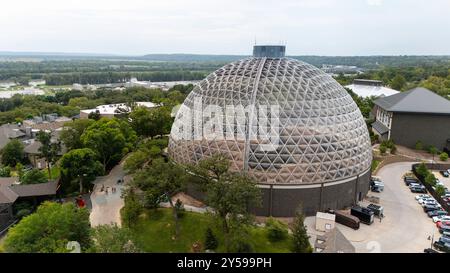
(309, 27)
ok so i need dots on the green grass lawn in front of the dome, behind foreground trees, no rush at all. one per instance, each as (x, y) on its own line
(155, 229)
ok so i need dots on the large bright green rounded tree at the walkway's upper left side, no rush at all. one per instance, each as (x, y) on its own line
(110, 139)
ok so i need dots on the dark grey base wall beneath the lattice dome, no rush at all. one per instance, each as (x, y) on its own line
(278, 201)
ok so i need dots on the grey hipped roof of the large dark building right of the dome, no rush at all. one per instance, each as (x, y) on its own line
(417, 100)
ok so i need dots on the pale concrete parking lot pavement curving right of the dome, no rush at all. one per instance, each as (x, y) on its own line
(405, 227)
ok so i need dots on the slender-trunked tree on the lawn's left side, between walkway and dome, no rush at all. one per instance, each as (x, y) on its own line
(163, 178)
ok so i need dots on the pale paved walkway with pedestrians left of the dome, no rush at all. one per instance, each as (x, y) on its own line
(106, 206)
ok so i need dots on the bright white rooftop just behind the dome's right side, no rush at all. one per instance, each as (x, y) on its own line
(370, 88)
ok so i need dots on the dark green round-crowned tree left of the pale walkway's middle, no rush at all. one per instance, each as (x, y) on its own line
(80, 164)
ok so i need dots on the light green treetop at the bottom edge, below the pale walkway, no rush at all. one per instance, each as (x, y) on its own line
(113, 239)
